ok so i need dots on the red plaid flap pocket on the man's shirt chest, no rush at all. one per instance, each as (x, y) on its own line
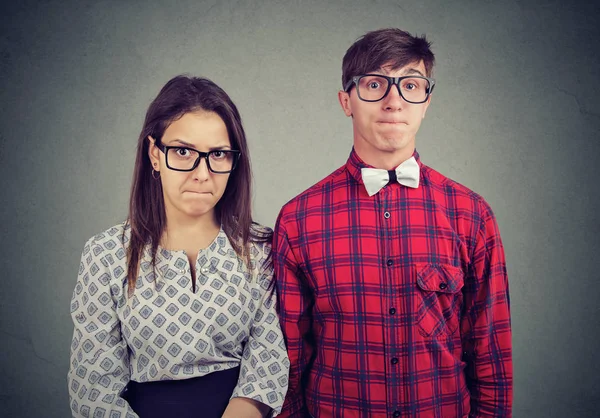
(438, 298)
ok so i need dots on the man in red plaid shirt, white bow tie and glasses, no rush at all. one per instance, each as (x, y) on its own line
(392, 284)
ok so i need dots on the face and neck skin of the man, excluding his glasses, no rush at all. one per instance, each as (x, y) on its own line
(387, 127)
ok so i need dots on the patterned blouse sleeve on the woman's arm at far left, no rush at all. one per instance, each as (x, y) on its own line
(99, 368)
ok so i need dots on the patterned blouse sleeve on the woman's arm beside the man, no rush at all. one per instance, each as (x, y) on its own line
(265, 365)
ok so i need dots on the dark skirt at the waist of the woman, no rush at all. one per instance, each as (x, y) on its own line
(198, 397)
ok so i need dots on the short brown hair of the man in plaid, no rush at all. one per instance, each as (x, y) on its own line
(386, 46)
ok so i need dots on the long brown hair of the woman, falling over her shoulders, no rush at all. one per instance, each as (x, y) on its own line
(147, 218)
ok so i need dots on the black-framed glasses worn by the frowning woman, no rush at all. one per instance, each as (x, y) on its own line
(220, 161)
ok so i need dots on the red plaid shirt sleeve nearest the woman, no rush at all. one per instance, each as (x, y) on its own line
(295, 321)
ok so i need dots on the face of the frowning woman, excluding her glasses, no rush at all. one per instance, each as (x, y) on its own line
(191, 194)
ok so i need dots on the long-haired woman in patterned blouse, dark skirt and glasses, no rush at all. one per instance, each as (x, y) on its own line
(174, 309)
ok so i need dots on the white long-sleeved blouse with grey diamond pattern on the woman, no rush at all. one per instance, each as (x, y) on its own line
(166, 330)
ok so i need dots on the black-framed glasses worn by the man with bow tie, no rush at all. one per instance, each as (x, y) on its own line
(374, 87)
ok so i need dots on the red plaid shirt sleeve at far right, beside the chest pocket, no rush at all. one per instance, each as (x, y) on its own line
(486, 327)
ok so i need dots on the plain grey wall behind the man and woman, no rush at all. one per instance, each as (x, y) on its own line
(515, 116)
